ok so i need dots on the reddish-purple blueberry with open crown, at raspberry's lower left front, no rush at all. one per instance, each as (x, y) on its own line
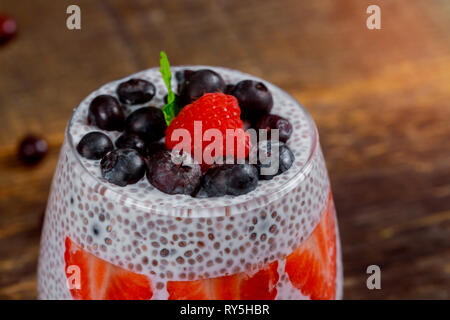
(181, 176)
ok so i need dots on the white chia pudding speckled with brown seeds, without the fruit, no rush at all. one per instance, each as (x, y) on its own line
(175, 238)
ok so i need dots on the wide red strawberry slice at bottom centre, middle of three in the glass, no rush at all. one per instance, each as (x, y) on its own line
(260, 286)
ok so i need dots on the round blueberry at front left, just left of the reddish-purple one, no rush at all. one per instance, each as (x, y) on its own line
(123, 167)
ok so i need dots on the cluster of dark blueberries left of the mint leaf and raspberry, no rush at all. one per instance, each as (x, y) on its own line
(124, 162)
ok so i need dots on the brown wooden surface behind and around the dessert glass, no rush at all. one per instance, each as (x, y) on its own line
(381, 100)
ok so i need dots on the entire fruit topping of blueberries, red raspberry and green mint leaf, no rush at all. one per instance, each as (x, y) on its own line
(202, 124)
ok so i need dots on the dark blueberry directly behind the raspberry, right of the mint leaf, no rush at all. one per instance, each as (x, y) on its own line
(201, 82)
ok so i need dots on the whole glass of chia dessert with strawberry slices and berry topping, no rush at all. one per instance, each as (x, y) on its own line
(122, 222)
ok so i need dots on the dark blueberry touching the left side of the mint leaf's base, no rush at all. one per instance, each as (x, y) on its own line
(148, 123)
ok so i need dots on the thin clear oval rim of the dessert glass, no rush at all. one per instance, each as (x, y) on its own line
(202, 211)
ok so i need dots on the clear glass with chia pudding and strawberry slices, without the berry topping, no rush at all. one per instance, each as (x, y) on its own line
(281, 241)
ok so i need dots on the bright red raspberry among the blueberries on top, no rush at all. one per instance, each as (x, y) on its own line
(213, 111)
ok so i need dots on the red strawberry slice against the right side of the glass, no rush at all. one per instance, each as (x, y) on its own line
(312, 267)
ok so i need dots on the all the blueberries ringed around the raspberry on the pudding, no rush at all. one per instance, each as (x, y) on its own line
(138, 151)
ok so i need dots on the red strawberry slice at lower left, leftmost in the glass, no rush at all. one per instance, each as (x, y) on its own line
(101, 280)
